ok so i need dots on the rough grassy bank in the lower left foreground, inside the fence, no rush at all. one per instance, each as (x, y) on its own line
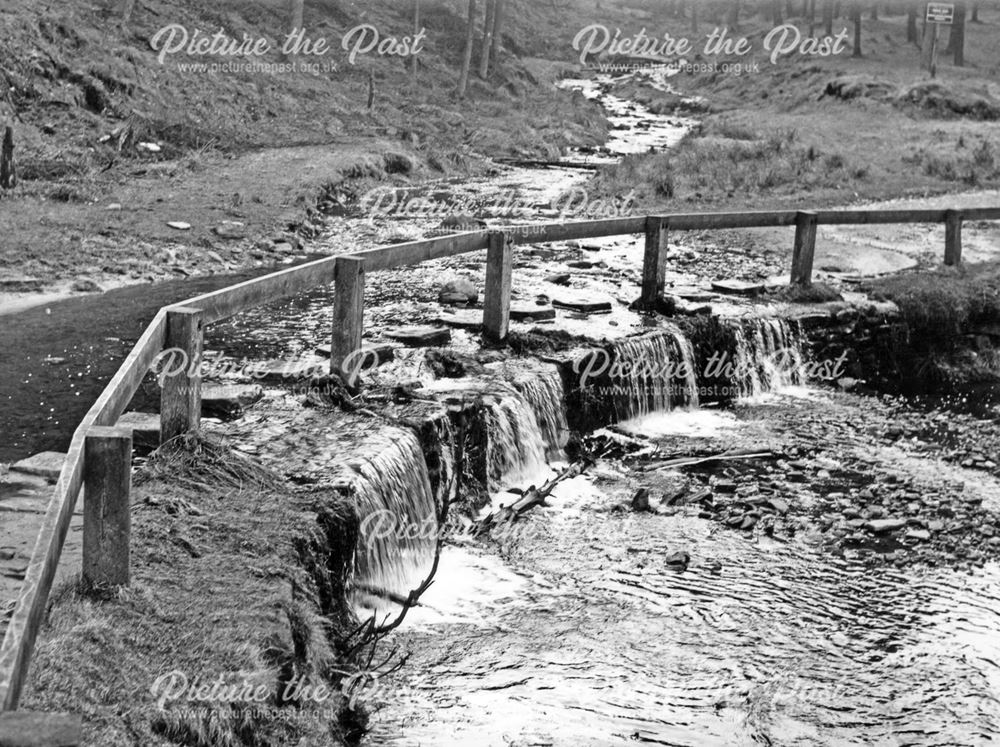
(235, 579)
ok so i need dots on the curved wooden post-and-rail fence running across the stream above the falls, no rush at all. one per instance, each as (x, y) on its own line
(99, 455)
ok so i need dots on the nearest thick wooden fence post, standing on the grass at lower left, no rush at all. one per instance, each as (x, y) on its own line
(107, 522)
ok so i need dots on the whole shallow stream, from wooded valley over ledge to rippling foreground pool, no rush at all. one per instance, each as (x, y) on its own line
(590, 622)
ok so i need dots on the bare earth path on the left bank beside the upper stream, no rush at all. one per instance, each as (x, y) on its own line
(242, 211)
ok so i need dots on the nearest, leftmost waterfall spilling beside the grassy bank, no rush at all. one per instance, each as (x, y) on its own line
(391, 485)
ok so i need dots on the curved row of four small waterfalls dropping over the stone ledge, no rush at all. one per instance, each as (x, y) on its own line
(525, 419)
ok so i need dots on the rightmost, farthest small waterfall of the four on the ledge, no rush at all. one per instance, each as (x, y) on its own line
(768, 356)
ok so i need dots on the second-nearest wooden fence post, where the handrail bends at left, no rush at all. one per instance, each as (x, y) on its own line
(180, 396)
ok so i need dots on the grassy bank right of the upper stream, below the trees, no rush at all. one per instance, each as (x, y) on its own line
(829, 130)
